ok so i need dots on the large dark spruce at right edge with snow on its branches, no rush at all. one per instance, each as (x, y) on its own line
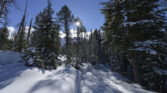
(147, 42)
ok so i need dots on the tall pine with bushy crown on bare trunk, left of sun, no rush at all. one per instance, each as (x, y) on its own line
(66, 19)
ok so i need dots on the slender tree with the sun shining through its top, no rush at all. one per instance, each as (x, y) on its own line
(80, 51)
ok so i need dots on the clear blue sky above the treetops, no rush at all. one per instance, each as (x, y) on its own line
(88, 11)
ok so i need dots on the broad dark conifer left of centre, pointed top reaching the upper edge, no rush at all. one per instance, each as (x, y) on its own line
(47, 43)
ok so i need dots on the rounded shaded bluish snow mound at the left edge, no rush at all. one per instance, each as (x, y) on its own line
(9, 57)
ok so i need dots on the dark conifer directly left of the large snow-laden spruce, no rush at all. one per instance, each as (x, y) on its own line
(115, 38)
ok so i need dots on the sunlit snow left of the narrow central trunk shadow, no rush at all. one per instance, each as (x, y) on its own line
(20, 79)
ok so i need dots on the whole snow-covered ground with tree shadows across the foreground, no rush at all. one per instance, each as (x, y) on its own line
(17, 78)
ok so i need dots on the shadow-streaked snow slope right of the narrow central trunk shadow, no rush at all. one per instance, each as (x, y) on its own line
(100, 80)
